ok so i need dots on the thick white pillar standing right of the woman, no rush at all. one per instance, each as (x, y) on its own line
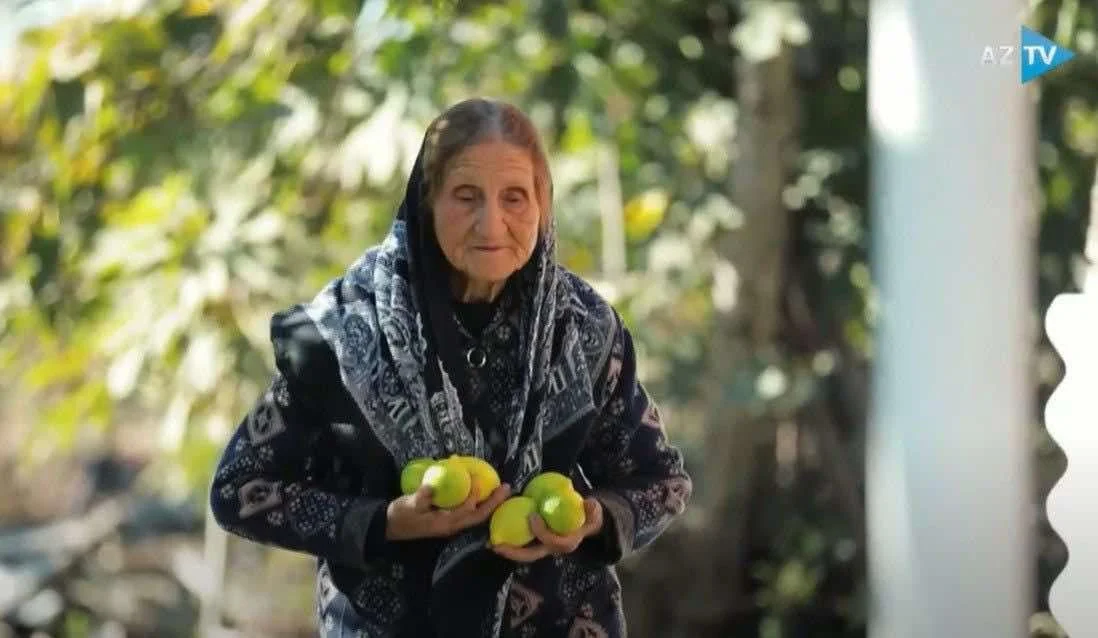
(950, 501)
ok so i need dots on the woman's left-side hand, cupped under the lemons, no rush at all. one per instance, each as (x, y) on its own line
(413, 517)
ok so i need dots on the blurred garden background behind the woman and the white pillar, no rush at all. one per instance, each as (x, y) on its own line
(173, 172)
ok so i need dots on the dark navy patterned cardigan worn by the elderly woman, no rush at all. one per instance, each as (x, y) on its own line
(302, 473)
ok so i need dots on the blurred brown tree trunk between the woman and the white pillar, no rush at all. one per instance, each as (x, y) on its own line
(746, 337)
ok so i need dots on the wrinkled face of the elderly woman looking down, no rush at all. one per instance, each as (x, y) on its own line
(486, 212)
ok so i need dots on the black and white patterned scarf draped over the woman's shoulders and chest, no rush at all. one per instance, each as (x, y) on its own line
(397, 349)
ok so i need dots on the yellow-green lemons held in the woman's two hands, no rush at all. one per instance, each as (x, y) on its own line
(453, 480)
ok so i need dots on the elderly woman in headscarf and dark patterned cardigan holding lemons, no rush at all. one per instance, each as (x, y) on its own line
(460, 334)
